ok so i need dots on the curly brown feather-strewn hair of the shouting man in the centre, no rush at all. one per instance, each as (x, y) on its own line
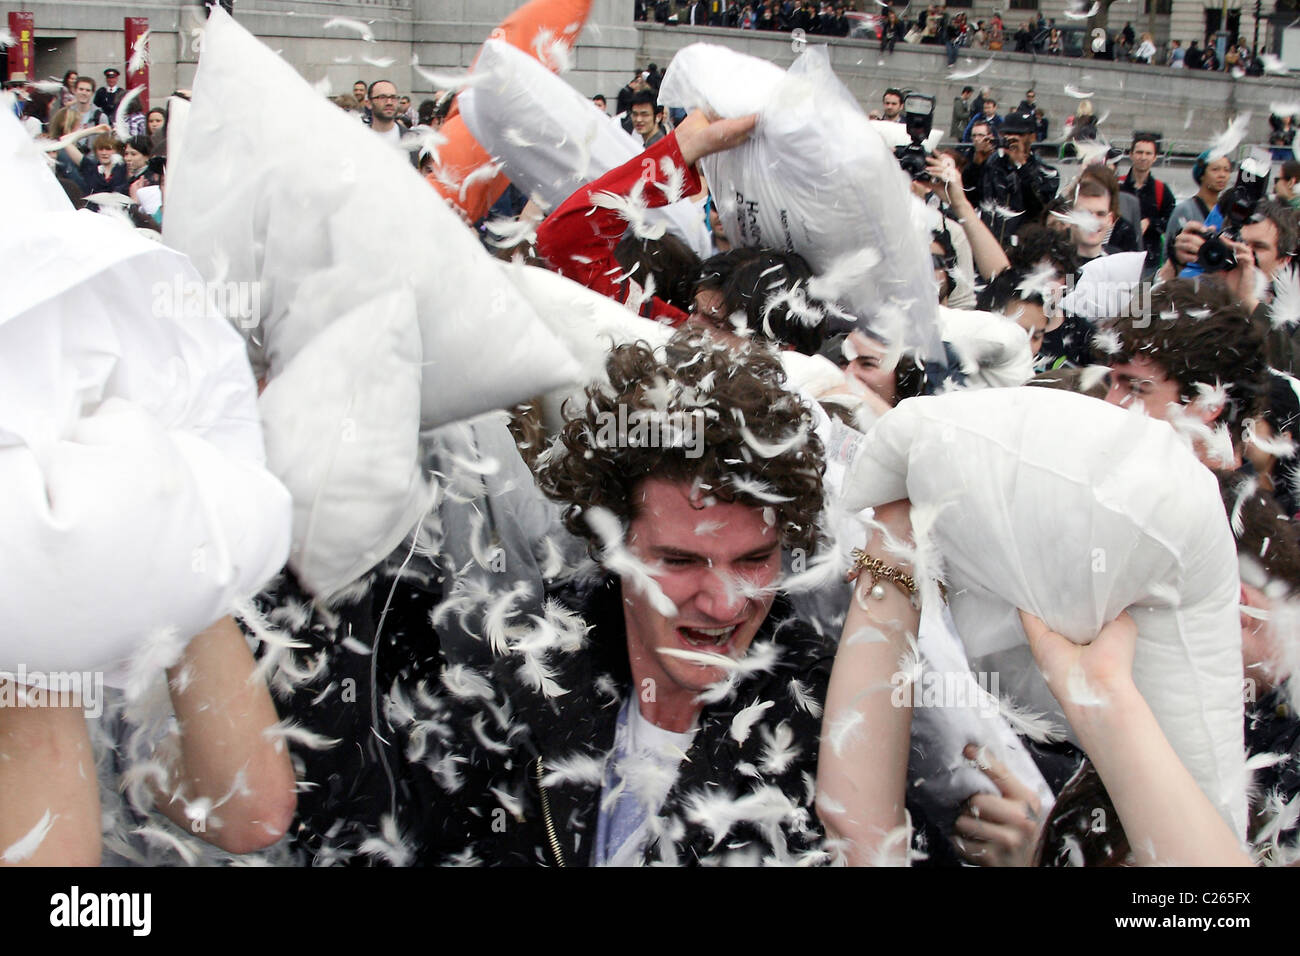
(723, 388)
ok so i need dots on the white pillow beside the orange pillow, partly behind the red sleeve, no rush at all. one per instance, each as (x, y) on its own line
(551, 139)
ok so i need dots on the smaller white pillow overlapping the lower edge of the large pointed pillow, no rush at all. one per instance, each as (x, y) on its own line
(343, 427)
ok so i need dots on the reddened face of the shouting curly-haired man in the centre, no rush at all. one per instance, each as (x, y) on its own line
(708, 561)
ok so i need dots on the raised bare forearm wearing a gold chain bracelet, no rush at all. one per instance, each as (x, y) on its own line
(863, 769)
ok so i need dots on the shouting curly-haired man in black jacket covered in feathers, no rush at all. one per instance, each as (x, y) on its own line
(671, 712)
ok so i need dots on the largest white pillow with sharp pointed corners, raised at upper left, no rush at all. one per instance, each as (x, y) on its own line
(323, 223)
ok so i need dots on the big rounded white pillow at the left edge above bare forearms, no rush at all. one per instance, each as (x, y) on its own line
(135, 498)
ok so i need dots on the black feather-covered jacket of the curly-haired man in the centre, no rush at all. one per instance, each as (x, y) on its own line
(509, 817)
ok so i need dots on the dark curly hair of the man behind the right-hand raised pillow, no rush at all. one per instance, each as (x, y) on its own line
(1199, 334)
